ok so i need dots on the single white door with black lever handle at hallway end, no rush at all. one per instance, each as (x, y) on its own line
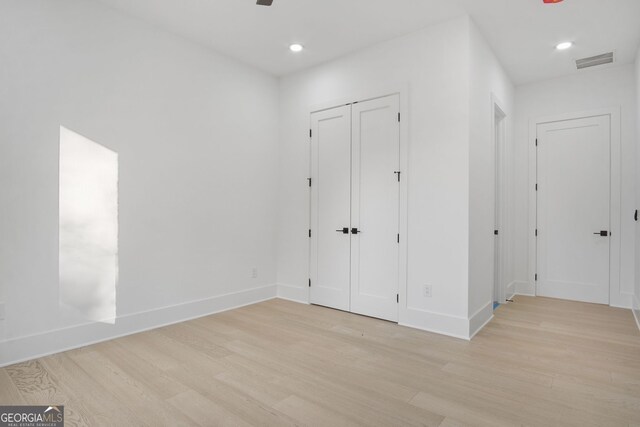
(574, 181)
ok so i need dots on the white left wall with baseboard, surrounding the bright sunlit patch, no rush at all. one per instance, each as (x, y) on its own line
(196, 135)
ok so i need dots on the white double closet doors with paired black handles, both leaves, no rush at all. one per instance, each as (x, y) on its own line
(355, 158)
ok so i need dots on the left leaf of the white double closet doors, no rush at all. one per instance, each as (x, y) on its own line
(330, 207)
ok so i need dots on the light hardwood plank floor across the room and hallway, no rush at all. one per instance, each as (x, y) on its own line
(540, 362)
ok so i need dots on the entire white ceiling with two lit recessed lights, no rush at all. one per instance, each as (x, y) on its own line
(523, 33)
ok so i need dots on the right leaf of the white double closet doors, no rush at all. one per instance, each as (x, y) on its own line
(375, 207)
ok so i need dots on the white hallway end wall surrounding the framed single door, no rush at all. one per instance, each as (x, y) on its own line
(588, 90)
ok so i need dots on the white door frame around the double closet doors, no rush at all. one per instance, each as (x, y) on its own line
(402, 90)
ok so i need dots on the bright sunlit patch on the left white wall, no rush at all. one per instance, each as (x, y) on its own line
(88, 251)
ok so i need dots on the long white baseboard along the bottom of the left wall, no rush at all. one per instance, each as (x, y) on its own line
(43, 344)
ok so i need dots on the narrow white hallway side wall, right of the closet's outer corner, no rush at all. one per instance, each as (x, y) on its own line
(488, 79)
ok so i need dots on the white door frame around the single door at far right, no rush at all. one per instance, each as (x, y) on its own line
(615, 203)
